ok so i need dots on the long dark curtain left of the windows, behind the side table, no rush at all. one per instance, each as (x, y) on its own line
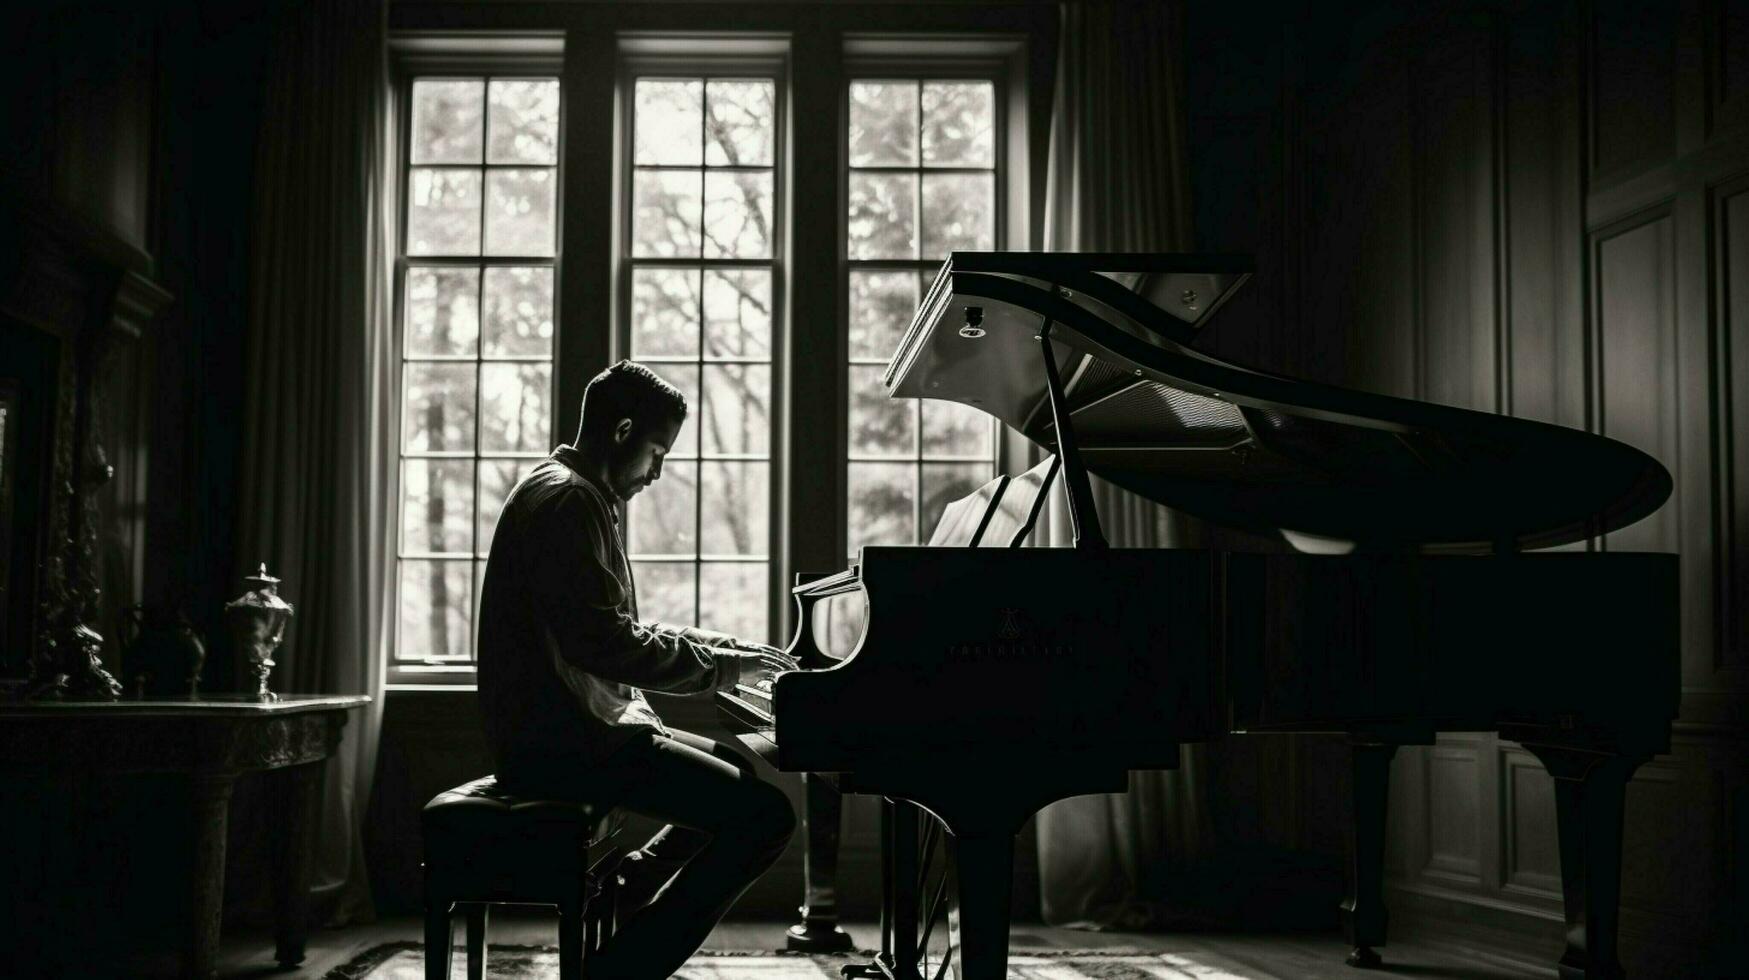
(317, 482)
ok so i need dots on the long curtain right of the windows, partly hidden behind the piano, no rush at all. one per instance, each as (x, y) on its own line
(1118, 183)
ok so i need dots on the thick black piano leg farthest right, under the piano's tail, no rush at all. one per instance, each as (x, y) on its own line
(1591, 788)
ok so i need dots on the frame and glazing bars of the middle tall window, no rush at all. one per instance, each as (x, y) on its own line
(744, 57)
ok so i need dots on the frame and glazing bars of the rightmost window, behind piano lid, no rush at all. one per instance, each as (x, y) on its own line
(998, 59)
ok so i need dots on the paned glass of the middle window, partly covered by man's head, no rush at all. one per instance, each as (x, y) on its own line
(700, 267)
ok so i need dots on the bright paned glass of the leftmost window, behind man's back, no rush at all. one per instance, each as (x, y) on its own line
(477, 325)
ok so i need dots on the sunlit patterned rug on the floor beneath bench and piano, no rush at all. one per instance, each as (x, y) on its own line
(407, 962)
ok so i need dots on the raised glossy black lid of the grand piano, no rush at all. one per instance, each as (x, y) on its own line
(1241, 447)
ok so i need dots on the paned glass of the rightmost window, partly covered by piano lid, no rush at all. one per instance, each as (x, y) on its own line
(923, 178)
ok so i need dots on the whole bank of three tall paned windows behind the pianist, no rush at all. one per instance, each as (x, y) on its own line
(578, 195)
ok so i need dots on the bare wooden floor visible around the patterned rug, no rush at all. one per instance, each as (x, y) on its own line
(1223, 956)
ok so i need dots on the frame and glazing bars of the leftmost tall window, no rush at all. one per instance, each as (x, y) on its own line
(412, 59)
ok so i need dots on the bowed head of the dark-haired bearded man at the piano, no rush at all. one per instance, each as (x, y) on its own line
(631, 419)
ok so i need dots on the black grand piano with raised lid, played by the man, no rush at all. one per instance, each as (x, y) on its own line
(1428, 554)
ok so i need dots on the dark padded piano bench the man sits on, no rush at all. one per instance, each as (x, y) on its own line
(485, 846)
